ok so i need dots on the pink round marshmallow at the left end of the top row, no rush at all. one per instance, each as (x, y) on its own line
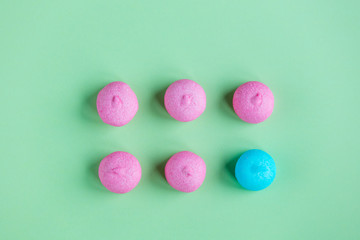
(117, 104)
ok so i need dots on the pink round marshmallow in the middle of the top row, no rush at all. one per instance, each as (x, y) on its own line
(185, 100)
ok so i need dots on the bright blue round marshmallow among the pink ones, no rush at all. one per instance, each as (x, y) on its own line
(255, 170)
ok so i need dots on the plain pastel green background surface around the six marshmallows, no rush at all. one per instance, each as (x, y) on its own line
(56, 55)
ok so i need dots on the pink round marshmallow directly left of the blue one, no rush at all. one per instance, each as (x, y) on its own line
(185, 171)
